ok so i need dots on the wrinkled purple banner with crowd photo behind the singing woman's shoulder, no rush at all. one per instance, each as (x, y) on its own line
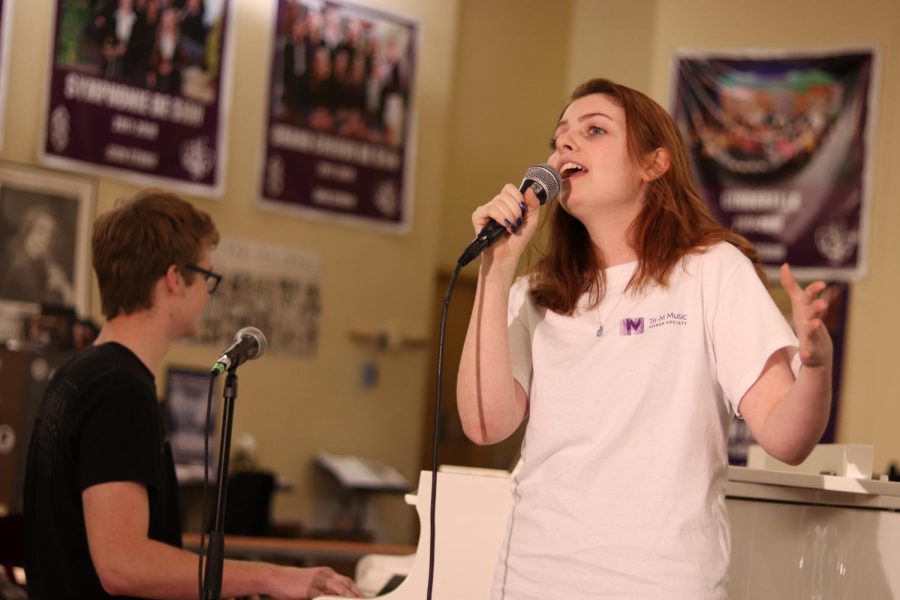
(780, 146)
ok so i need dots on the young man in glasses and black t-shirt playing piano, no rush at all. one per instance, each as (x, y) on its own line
(101, 504)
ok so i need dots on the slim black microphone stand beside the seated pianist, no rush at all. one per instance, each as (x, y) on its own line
(215, 558)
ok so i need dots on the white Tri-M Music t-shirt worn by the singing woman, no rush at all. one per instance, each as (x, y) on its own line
(620, 492)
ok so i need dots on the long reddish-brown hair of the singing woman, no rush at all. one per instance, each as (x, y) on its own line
(674, 221)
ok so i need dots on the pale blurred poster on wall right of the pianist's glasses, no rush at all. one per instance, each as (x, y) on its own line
(272, 288)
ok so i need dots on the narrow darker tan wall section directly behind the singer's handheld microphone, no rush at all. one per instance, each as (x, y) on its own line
(509, 88)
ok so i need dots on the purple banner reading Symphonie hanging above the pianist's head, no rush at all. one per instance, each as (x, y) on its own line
(138, 90)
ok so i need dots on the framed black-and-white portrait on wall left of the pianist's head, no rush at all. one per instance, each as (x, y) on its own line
(45, 222)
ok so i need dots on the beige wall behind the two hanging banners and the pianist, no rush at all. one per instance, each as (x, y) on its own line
(296, 406)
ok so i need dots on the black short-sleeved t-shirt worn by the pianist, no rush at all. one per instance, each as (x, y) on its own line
(98, 422)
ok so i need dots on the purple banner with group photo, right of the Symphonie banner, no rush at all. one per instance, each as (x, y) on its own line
(338, 137)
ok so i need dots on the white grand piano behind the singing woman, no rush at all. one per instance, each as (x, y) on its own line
(795, 534)
